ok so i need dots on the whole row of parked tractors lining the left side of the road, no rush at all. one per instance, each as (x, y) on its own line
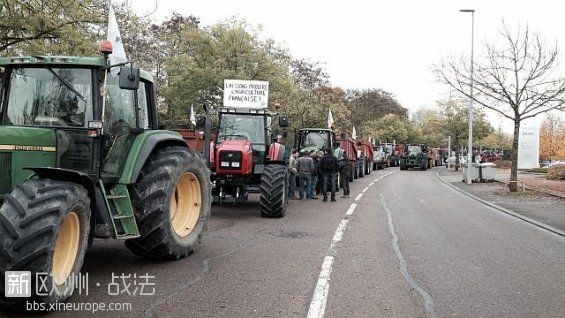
(82, 156)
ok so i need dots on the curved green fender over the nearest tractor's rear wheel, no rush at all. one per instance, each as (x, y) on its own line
(142, 147)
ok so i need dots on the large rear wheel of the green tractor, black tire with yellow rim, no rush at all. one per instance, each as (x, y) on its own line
(159, 189)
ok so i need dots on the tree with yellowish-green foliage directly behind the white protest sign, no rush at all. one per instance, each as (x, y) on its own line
(227, 50)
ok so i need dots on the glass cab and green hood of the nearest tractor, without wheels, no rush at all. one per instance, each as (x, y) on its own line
(53, 114)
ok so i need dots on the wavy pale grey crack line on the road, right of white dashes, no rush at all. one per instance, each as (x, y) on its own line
(428, 301)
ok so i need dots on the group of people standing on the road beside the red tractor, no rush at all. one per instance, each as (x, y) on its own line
(317, 172)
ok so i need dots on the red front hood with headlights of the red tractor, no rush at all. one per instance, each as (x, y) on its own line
(234, 157)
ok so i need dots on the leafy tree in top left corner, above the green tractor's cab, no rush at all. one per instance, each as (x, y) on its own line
(57, 27)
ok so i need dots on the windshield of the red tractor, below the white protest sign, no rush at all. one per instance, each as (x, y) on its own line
(242, 126)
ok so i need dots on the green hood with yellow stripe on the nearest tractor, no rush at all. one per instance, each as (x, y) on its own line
(22, 147)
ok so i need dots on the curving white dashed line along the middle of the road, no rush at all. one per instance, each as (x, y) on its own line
(319, 299)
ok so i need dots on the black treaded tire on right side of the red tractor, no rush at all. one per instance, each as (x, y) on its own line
(274, 192)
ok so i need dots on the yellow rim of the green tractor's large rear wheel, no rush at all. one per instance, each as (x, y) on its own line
(185, 204)
